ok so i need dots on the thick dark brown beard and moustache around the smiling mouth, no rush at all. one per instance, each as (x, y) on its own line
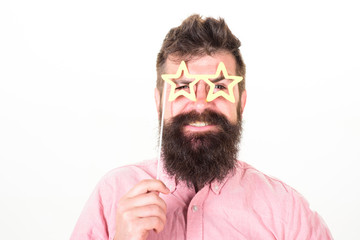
(199, 158)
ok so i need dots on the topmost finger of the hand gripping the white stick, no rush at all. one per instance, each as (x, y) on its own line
(148, 185)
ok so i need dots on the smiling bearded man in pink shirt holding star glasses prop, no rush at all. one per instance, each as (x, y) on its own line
(198, 190)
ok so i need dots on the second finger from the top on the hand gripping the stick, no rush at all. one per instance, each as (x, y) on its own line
(145, 199)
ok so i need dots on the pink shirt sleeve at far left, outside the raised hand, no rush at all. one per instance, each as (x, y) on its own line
(92, 223)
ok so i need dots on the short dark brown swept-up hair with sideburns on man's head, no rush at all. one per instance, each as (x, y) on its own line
(197, 37)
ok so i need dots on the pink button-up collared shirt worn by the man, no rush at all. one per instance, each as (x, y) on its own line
(246, 205)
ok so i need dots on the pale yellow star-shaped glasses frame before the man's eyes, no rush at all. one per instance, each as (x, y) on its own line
(211, 95)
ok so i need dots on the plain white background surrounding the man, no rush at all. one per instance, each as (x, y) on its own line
(76, 100)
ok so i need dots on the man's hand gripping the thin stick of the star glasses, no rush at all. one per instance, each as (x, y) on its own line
(141, 210)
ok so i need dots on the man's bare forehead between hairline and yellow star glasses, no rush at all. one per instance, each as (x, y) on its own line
(206, 64)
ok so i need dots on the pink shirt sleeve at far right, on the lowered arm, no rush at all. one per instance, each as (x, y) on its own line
(303, 223)
